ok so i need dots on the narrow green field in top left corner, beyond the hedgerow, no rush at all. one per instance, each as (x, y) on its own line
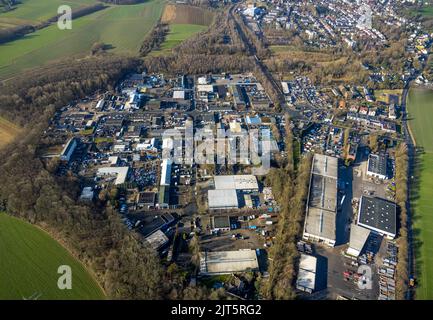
(32, 12)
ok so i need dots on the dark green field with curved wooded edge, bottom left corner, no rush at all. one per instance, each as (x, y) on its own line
(29, 259)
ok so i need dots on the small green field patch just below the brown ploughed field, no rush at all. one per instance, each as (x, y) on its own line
(178, 33)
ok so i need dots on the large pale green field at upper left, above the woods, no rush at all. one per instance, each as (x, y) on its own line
(122, 27)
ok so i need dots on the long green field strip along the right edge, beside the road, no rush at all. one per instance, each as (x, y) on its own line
(420, 108)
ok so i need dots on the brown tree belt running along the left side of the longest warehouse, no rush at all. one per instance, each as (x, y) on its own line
(290, 189)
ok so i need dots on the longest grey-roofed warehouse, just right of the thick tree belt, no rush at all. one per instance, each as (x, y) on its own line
(320, 220)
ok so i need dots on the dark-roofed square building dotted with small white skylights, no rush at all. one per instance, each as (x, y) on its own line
(378, 215)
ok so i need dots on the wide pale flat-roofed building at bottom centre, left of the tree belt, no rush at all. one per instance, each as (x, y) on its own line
(227, 262)
